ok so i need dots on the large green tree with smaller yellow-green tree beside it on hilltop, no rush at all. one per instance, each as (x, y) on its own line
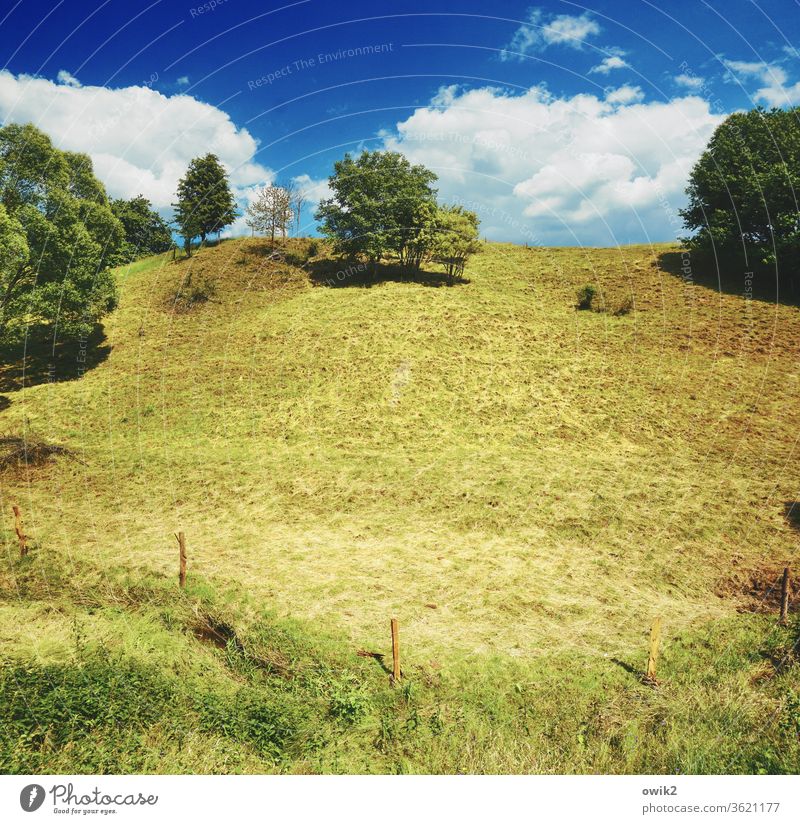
(382, 206)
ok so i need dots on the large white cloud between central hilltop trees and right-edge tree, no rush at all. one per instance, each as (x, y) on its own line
(550, 170)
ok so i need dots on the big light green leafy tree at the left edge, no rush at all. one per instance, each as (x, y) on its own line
(58, 238)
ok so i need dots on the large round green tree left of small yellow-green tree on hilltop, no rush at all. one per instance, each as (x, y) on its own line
(381, 205)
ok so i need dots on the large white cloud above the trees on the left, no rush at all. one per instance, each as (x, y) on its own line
(140, 140)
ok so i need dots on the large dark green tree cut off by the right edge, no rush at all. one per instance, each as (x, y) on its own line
(744, 189)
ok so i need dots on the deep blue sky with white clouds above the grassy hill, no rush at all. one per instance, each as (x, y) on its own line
(558, 123)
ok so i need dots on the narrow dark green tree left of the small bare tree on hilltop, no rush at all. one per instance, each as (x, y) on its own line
(205, 201)
